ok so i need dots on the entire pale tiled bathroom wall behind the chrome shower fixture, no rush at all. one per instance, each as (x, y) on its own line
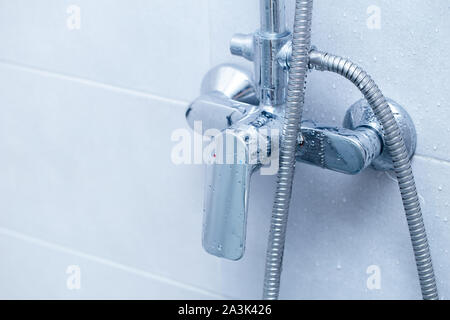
(86, 178)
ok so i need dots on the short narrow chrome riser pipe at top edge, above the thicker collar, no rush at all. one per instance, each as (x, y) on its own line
(273, 16)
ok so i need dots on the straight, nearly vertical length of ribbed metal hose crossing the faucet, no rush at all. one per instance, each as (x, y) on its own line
(296, 91)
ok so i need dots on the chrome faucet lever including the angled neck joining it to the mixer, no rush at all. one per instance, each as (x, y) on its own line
(243, 148)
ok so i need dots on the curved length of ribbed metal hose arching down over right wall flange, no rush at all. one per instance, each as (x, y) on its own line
(398, 152)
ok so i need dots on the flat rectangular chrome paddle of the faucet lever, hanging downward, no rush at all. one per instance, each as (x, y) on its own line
(226, 201)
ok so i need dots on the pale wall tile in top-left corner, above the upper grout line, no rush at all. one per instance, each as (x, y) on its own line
(145, 45)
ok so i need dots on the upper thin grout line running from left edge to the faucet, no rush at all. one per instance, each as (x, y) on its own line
(88, 82)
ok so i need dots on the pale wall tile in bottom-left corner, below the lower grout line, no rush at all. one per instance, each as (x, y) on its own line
(42, 271)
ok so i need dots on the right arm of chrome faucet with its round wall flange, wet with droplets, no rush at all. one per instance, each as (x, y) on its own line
(359, 144)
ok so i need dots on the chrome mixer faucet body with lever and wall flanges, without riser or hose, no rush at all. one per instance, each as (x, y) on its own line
(229, 103)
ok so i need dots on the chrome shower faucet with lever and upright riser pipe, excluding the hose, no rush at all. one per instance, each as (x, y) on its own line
(248, 109)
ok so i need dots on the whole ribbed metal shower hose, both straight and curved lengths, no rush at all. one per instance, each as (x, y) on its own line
(301, 59)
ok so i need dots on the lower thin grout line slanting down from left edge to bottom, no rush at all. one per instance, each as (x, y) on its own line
(106, 262)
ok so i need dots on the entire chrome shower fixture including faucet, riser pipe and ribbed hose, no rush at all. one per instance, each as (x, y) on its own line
(249, 109)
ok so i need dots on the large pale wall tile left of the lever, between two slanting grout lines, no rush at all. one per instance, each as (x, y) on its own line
(83, 173)
